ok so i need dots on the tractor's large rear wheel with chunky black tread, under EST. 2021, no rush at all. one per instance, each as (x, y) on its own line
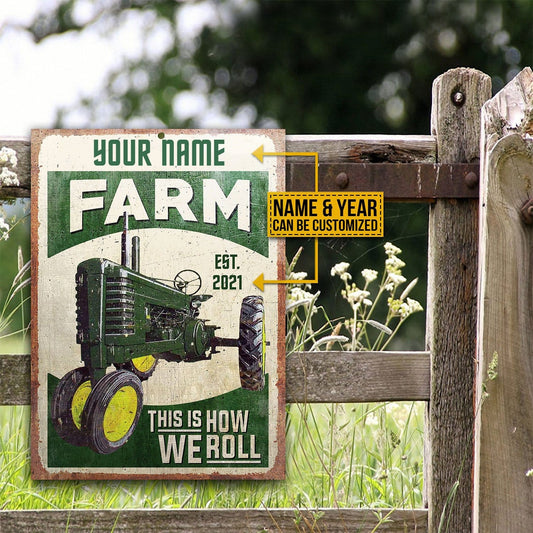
(252, 343)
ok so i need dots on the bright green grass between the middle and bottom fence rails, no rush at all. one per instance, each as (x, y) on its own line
(338, 455)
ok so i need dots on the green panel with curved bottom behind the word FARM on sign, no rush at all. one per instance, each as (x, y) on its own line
(229, 205)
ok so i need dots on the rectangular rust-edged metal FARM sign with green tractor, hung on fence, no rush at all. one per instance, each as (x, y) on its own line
(153, 354)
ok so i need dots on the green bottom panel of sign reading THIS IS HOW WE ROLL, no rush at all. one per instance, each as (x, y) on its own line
(231, 431)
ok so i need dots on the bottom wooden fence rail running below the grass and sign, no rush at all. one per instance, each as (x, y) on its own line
(209, 520)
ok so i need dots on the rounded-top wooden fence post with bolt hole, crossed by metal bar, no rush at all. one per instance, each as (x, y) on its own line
(451, 307)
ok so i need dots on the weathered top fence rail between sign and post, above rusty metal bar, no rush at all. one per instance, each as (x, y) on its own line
(365, 148)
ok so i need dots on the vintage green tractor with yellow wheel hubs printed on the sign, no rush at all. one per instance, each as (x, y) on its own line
(128, 320)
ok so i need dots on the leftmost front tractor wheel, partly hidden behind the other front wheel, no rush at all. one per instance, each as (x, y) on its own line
(68, 404)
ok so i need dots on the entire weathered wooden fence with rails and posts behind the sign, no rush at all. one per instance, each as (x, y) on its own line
(451, 376)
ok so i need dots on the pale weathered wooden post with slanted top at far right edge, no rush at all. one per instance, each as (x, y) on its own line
(503, 492)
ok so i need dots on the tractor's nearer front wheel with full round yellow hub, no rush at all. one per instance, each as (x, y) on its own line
(112, 411)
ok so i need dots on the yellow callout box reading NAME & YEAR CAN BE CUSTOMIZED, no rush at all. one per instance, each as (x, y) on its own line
(325, 214)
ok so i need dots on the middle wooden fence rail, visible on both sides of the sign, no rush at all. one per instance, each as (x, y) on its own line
(311, 377)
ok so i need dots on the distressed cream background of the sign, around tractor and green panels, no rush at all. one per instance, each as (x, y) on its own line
(163, 253)
